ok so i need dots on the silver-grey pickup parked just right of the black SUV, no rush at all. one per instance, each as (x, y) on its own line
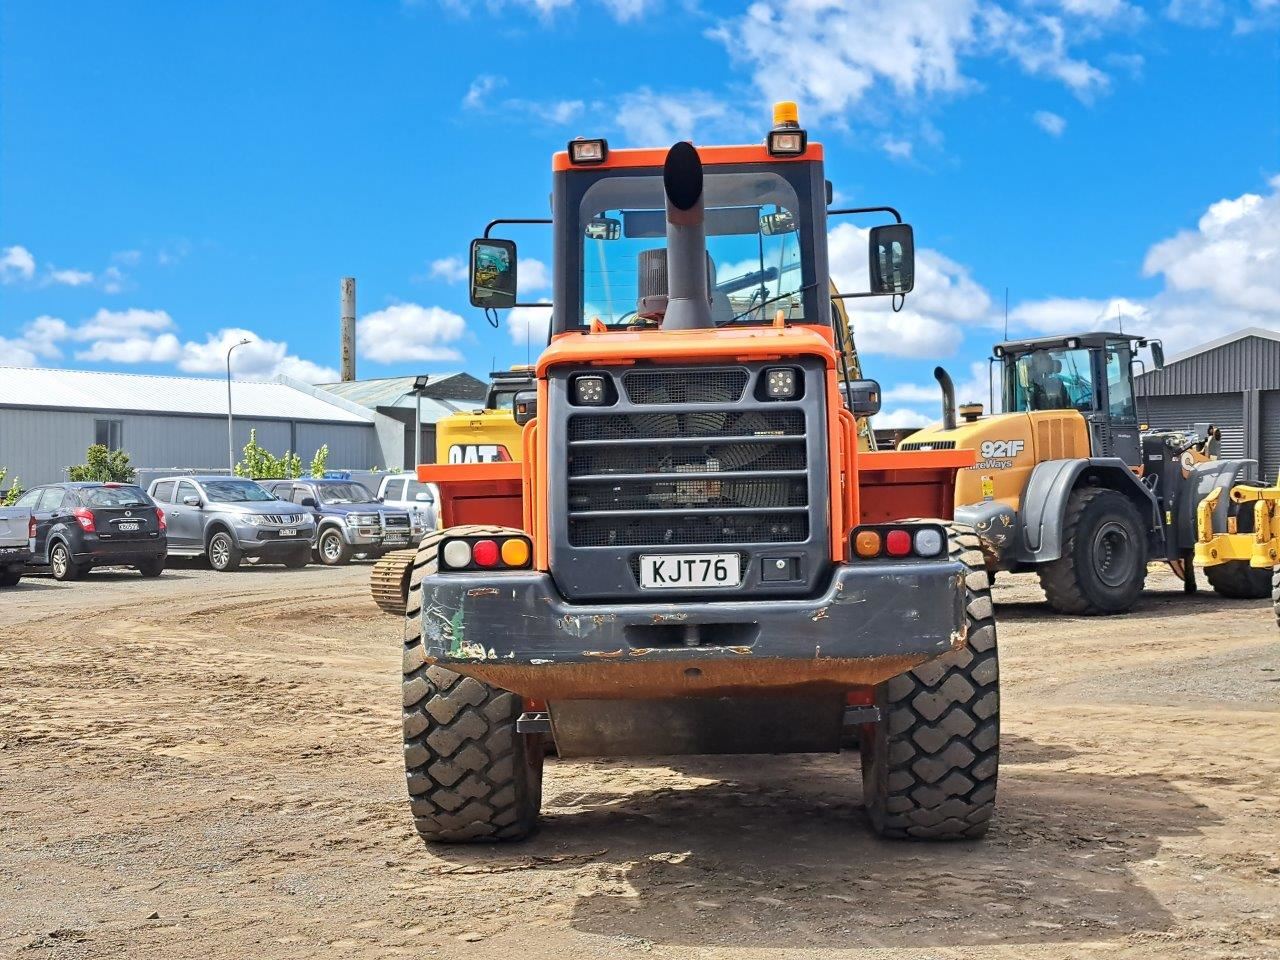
(227, 519)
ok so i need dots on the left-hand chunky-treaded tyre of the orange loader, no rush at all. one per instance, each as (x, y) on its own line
(472, 778)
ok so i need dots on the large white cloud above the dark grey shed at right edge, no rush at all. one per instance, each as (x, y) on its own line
(1218, 278)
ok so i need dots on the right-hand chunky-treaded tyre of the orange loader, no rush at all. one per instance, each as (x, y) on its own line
(930, 765)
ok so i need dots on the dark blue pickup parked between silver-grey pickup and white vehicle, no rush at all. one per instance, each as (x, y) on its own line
(350, 520)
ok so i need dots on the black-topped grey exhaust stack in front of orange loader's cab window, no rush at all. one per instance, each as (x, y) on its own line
(689, 303)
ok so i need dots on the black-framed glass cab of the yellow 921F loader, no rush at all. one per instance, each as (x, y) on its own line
(1091, 374)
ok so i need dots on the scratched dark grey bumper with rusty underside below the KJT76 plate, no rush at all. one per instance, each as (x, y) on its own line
(515, 630)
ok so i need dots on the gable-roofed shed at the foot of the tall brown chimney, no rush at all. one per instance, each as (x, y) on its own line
(397, 399)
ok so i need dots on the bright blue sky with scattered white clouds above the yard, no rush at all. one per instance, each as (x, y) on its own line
(176, 177)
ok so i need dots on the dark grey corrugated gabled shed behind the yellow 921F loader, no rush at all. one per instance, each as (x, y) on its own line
(1233, 383)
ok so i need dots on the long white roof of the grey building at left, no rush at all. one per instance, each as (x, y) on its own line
(93, 390)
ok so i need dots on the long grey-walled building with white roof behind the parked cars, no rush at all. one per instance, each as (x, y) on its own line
(49, 419)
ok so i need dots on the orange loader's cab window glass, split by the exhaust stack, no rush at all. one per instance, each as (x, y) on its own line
(755, 223)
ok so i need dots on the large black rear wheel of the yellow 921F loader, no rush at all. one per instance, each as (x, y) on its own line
(1104, 563)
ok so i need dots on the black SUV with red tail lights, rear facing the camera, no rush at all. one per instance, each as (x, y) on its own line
(76, 527)
